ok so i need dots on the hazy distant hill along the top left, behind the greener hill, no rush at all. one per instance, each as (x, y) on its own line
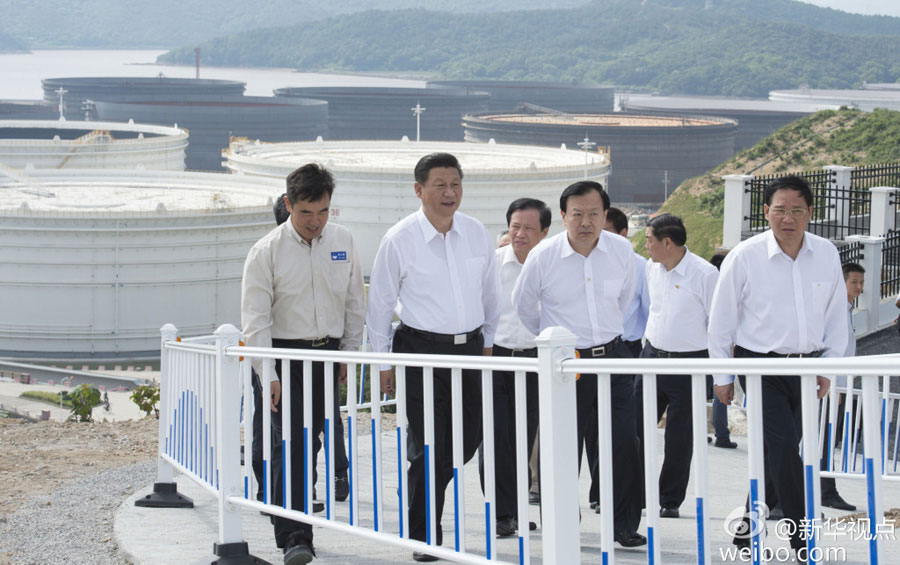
(140, 24)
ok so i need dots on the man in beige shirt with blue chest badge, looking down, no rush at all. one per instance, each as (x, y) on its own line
(302, 289)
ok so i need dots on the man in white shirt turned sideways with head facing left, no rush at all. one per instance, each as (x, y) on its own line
(681, 287)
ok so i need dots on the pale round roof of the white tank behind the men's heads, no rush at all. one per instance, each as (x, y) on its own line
(403, 155)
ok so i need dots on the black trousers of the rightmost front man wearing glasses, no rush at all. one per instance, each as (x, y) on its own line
(782, 425)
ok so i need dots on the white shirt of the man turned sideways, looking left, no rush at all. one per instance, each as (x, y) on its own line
(679, 303)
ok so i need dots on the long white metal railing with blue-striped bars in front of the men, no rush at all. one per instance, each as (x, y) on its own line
(200, 436)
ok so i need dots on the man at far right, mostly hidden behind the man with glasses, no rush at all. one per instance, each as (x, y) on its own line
(854, 279)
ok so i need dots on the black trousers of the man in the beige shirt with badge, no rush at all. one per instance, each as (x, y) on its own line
(284, 528)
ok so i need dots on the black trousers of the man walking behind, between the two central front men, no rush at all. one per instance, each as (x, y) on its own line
(505, 431)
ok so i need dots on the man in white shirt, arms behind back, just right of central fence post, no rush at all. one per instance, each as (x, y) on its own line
(583, 279)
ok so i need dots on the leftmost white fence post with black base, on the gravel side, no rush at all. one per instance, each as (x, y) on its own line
(165, 490)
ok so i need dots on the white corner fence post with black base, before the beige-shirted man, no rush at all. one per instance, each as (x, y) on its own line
(230, 547)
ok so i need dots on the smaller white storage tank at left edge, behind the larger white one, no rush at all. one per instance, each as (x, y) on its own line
(59, 144)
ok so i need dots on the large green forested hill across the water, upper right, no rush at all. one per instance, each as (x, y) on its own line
(673, 46)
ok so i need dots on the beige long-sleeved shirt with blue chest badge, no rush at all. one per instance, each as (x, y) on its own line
(294, 290)
